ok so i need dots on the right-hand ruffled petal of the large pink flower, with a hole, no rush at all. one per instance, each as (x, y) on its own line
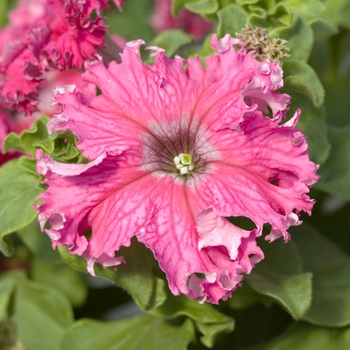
(264, 175)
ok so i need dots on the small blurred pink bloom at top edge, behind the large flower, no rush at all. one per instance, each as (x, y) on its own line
(192, 23)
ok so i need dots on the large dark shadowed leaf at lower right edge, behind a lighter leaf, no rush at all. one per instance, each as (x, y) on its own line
(330, 267)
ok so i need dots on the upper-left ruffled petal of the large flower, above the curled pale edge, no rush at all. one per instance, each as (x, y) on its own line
(102, 131)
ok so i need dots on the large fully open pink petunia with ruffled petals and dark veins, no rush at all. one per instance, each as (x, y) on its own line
(175, 150)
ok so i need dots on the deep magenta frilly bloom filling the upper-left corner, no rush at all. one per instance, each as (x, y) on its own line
(46, 35)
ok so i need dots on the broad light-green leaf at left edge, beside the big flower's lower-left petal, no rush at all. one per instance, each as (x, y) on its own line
(18, 190)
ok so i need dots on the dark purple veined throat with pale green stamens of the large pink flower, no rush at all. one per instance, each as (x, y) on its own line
(179, 148)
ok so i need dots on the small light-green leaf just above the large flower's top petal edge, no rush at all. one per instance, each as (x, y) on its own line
(171, 40)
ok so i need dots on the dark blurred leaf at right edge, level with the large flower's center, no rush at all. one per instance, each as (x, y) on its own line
(335, 173)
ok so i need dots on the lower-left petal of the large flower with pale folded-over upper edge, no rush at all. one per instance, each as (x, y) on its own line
(98, 196)
